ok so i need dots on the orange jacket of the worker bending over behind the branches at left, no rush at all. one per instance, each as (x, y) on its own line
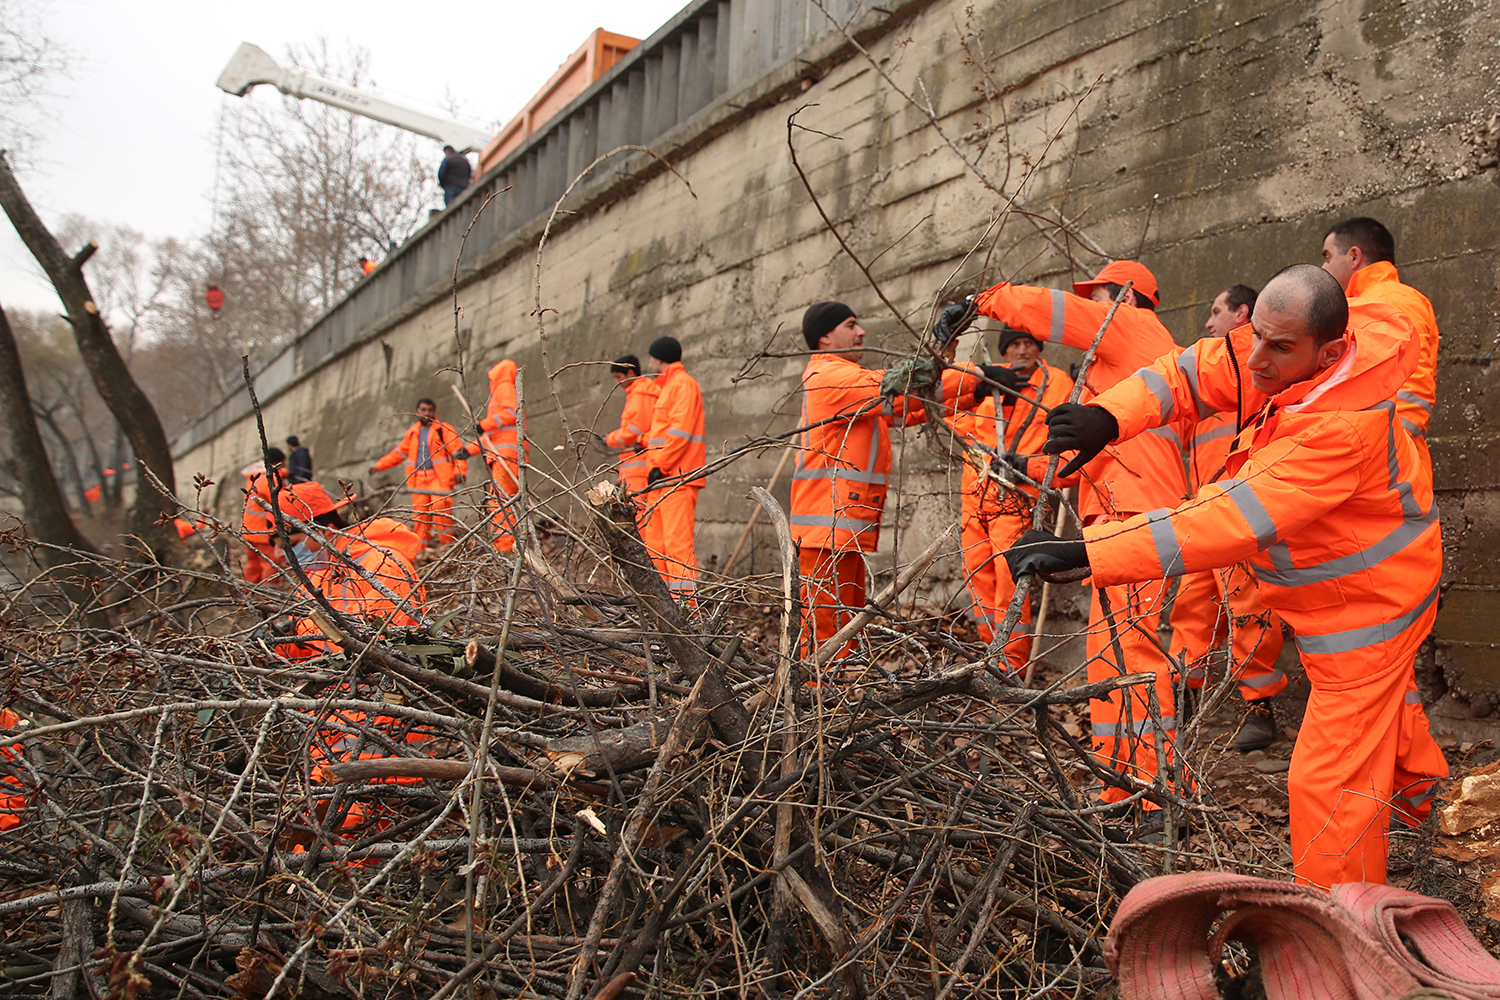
(385, 549)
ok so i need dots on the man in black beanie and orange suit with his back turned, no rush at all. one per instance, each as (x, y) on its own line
(676, 449)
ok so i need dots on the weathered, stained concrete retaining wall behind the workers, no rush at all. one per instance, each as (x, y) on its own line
(1217, 142)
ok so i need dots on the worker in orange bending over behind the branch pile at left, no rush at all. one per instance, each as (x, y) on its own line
(385, 590)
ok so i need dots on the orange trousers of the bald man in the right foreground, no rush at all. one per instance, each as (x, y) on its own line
(1364, 752)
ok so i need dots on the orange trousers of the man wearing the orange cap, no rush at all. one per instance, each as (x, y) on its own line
(1124, 732)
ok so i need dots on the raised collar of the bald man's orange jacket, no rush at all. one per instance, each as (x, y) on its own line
(1382, 355)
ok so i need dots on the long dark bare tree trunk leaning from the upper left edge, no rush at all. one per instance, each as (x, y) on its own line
(119, 391)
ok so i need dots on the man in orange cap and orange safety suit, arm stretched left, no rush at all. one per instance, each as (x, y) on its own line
(1135, 478)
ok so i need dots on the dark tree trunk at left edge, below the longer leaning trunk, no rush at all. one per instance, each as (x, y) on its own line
(46, 510)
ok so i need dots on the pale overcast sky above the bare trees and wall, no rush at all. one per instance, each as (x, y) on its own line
(134, 133)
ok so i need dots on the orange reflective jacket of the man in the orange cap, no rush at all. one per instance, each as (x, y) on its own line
(1132, 476)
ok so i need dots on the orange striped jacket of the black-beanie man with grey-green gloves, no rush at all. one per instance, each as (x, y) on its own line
(842, 467)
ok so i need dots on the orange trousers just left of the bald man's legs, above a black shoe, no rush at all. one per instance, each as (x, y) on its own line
(1201, 621)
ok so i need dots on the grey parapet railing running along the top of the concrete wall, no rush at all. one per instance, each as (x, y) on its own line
(707, 53)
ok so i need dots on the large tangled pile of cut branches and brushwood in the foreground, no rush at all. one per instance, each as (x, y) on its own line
(563, 791)
